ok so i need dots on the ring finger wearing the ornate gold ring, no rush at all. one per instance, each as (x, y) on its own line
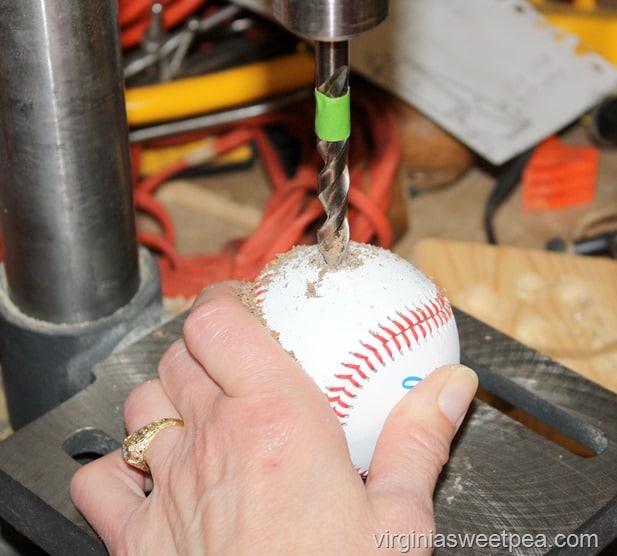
(147, 403)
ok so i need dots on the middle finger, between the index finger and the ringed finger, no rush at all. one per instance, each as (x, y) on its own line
(186, 382)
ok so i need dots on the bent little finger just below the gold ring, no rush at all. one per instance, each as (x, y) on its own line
(108, 493)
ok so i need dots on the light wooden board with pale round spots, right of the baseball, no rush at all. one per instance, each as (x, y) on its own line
(559, 304)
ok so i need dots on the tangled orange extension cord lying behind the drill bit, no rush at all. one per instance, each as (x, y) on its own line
(293, 211)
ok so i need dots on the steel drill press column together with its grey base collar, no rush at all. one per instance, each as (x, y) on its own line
(73, 284)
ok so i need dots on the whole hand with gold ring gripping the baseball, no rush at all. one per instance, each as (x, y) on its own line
(261, 464)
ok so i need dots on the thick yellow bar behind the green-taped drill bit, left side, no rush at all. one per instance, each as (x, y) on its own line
(218, 91)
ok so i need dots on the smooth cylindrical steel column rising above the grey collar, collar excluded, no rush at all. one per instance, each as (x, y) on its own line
(65, 194)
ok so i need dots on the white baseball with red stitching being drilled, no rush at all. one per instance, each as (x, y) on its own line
(366, 331)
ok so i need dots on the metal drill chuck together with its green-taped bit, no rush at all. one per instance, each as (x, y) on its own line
(330, 24)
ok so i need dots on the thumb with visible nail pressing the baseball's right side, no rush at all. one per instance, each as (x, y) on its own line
(414, 444)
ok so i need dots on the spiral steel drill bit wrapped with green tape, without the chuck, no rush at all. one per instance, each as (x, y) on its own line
(332, 76)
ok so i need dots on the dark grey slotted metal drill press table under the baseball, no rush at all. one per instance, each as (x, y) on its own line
(502, 479)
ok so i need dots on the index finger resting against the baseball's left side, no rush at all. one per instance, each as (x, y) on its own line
(238, 352)
